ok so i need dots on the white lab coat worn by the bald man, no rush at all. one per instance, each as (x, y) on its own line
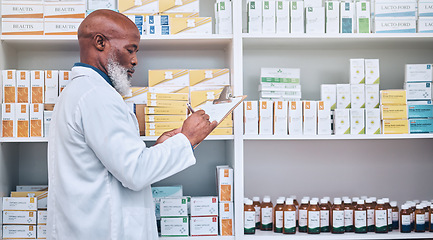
(99, 169)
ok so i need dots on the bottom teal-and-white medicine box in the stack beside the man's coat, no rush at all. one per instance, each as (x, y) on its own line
(174, 227)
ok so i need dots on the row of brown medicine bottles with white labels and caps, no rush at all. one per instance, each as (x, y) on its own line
(312, 216)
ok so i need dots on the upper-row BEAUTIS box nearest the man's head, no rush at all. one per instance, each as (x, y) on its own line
(65, 10)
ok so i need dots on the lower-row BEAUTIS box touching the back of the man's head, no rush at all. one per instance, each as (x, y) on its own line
(59, 26)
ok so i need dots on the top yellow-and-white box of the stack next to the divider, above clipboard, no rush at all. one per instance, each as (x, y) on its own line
(209, 77)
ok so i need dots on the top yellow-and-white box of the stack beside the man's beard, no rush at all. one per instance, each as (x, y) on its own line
(169, 77)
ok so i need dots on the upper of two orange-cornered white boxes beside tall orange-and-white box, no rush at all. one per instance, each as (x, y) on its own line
(204, 206)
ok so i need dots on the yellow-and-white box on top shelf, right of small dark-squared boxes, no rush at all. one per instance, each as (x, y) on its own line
(198, 25)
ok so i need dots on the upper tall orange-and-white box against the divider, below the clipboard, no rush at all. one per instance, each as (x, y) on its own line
(225, 183)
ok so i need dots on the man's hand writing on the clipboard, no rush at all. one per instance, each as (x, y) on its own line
(197, 127)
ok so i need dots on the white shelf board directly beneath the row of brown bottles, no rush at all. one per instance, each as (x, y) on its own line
(346, 236)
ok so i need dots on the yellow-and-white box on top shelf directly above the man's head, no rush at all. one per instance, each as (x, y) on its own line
(138, 6)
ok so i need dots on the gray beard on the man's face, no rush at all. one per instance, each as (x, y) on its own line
(119, 76)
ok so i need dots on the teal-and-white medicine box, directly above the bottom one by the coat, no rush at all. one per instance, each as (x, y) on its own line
(174, 206)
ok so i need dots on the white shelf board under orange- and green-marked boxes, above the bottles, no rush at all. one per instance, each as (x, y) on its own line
(338, 137)
